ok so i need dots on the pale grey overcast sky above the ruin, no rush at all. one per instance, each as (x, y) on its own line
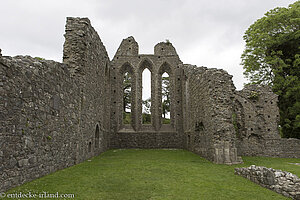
(205, 33)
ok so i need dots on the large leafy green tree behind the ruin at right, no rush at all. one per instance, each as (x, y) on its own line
(272, 57)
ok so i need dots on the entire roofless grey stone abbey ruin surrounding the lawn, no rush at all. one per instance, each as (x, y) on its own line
(54, 115)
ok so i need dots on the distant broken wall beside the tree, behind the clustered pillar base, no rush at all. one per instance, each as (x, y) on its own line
(256, 116)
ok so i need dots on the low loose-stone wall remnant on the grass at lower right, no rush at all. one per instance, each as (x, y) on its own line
(282, 182)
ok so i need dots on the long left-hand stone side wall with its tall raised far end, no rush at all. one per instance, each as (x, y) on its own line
(50, 112)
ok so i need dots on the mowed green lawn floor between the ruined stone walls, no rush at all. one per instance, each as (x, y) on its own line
(156, 174)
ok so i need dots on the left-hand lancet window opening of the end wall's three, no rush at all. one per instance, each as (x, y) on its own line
(127, 96)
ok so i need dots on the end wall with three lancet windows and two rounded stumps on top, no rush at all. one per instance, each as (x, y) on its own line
(136, 134)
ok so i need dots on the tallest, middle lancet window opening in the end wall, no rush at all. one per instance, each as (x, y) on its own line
(146, 96)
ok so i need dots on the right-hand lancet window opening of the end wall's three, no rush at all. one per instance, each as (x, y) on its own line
(165, 97)
